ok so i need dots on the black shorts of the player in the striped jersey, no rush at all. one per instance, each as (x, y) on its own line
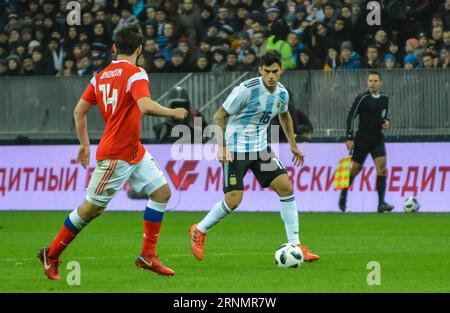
(264, 164)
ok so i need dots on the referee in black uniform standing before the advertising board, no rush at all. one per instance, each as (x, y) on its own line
(372, 109)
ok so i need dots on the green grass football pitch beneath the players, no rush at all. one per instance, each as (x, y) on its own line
(413, 251)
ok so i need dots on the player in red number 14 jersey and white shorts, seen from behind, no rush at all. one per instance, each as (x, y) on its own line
(121, 93)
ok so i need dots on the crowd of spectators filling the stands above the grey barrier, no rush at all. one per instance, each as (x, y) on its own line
(227, 35)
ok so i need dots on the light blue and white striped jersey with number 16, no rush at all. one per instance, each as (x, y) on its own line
(251, 107)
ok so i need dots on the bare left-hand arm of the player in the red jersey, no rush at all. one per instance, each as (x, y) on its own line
(79, 115)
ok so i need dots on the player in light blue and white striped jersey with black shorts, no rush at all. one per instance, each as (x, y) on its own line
(249, 108)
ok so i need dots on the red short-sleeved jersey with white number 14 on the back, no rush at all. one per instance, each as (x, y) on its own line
(116, 90)
